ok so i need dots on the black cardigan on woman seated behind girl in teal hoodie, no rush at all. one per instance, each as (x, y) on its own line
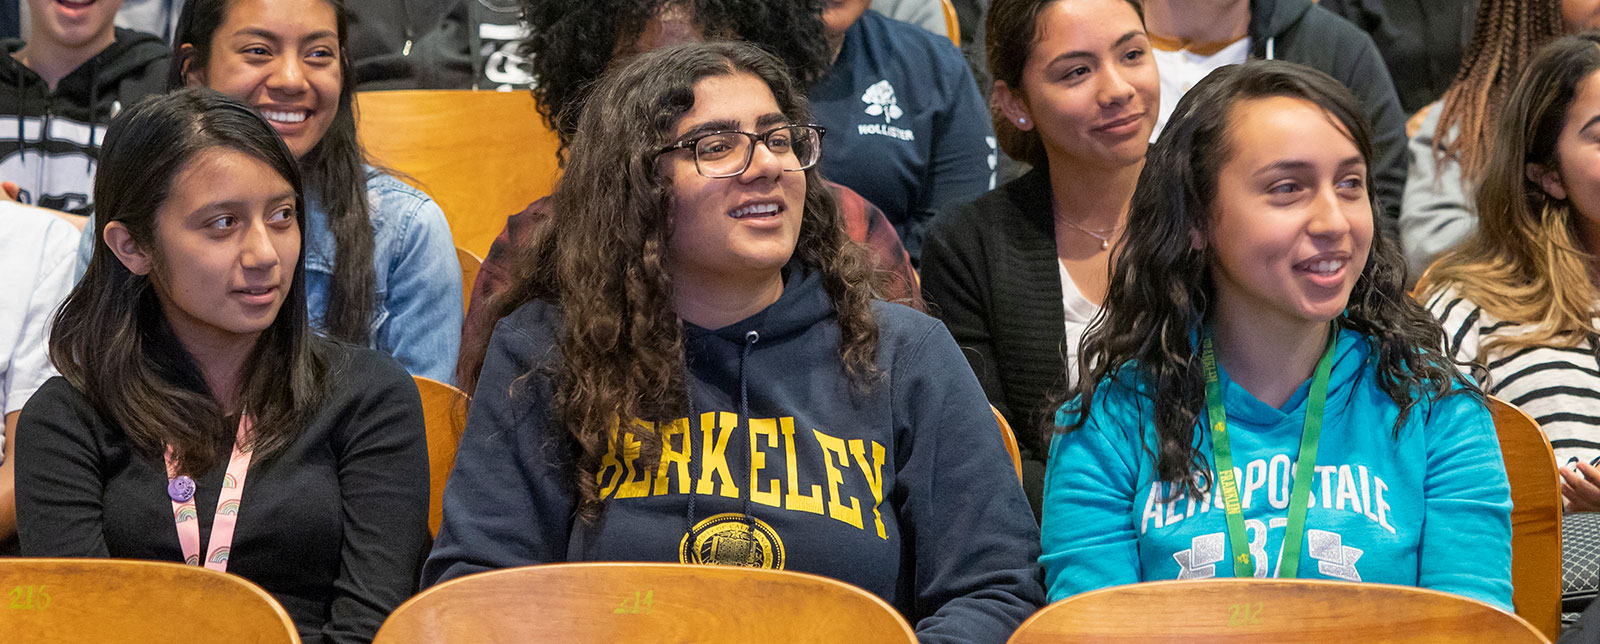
(990, 272)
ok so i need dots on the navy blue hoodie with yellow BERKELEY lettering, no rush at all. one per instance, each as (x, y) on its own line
(905, 491)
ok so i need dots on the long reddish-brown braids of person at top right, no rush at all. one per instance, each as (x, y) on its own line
(1505, 38)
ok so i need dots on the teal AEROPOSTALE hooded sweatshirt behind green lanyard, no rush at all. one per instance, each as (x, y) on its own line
(1428, 509)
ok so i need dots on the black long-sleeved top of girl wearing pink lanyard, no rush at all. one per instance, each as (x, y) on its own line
(334, 526)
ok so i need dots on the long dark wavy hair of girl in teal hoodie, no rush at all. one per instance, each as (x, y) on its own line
(1162, 286)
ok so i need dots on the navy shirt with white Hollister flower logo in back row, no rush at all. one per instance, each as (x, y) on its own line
(906, 126)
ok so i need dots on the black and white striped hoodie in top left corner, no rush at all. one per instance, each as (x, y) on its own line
(50, 140)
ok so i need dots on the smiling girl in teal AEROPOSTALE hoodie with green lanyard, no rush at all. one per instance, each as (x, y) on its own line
(1263, 398)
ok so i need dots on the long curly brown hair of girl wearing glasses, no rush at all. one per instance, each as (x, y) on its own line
(604, 259)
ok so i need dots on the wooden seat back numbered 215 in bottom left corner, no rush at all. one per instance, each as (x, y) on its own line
(127, 602)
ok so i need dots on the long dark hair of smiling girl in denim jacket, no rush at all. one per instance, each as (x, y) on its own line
(335, 171)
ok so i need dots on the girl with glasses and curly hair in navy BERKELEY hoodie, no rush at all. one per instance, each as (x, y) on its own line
(702, 288)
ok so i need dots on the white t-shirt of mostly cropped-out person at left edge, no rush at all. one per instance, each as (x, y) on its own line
(38, 262)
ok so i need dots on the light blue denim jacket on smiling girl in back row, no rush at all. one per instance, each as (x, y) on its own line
(417, 300)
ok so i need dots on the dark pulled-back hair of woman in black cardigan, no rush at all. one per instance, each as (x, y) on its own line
(1012, 34)
